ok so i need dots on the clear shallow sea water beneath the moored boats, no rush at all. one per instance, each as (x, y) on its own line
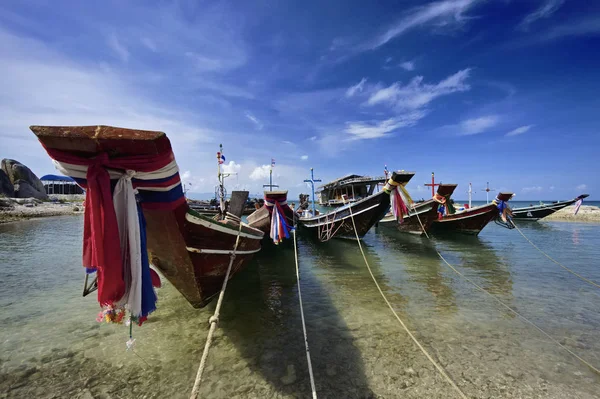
(52, 347)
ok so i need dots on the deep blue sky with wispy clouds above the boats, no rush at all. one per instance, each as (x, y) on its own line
(500, 91)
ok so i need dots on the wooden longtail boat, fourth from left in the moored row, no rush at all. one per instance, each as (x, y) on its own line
(421, 215)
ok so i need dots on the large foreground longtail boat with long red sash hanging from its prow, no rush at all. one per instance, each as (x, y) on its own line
(191, 250)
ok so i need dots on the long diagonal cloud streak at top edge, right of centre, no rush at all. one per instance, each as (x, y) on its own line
(442, 12)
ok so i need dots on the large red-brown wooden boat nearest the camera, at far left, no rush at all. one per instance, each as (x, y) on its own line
(191, 250)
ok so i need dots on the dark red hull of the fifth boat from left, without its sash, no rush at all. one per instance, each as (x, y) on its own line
(471, 221)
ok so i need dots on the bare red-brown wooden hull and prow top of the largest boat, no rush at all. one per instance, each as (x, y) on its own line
(191, 250)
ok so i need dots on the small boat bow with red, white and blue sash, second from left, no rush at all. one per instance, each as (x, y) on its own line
(275, 218)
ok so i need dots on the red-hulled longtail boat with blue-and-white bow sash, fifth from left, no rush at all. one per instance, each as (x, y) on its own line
(473, 220)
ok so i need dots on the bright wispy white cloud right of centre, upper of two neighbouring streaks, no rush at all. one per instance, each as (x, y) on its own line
(417, 94)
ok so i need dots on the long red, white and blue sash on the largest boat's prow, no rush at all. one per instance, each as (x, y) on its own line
(114, 241)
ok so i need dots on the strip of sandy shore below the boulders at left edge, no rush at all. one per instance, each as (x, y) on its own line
(15, 209)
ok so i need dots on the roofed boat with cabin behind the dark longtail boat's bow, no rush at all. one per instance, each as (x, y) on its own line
(352, 188)
